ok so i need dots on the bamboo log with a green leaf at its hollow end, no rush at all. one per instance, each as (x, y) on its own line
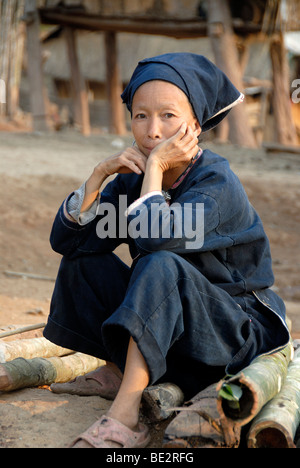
(254, 386)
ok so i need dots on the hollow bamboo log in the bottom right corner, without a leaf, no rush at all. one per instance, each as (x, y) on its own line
(276, 424)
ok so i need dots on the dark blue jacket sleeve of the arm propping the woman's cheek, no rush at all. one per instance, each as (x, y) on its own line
(212, 214)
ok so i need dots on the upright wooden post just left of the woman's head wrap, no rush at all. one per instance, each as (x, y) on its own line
(113, 84)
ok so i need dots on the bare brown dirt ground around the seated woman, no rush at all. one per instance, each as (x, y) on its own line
(37, 172)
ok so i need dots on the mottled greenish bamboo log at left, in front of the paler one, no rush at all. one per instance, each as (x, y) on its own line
(25, 373)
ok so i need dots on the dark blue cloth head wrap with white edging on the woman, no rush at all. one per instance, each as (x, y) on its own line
(208, 89)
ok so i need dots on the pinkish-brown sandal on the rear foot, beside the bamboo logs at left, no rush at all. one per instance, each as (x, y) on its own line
(101, 382)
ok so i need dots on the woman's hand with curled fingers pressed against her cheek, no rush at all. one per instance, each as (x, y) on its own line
(177, 151)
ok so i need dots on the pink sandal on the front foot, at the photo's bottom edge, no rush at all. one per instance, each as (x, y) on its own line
(107, 430)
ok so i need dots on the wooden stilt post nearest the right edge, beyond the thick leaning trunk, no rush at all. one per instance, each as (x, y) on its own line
(285, 126)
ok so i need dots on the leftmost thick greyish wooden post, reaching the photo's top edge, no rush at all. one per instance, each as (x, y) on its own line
(35, 74)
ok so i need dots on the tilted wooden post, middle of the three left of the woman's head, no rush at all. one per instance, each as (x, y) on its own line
(81, 105)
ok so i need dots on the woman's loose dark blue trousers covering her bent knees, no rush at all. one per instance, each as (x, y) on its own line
(189, 331)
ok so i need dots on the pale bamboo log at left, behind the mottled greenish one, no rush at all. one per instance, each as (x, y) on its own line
(30, 348)
